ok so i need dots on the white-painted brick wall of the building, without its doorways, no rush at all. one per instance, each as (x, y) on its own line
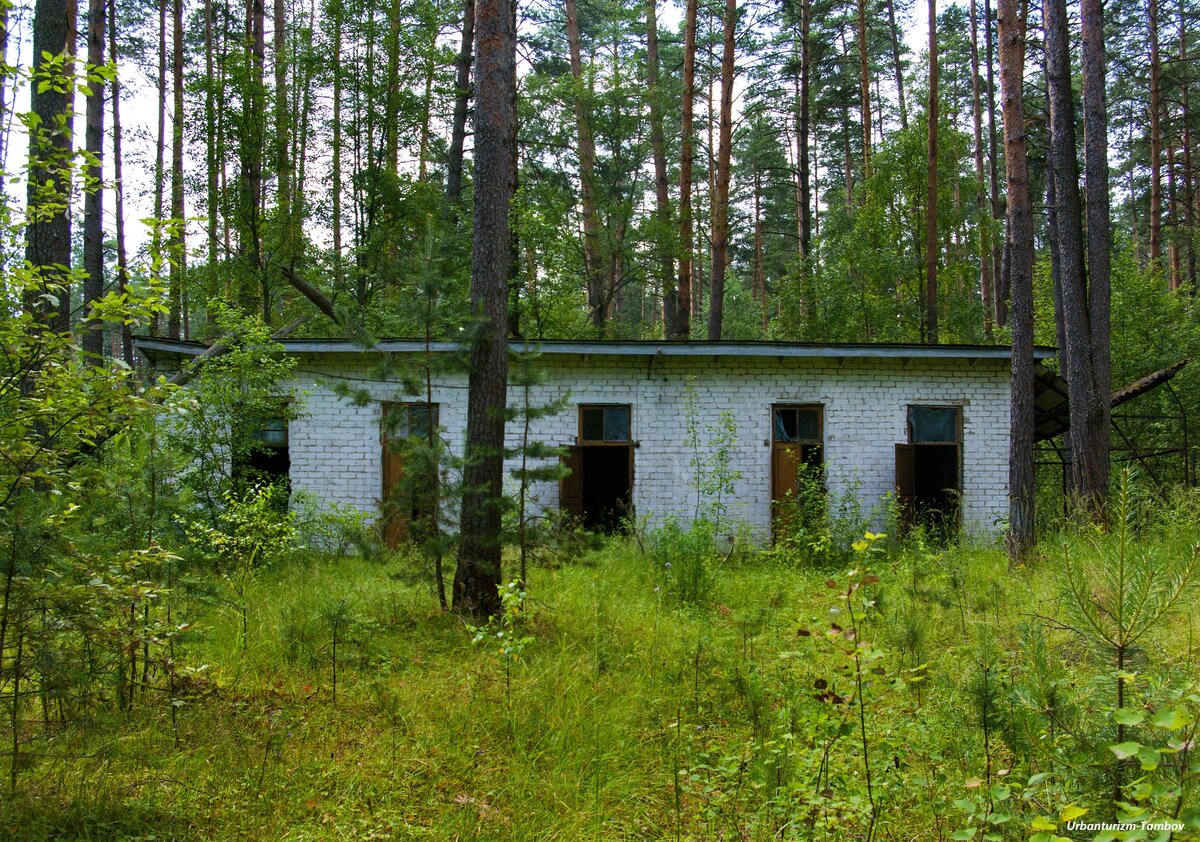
(337, 454)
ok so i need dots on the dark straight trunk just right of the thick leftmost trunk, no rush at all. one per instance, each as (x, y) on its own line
(94, 200)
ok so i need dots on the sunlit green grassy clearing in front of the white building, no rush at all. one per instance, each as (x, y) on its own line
(613, 709)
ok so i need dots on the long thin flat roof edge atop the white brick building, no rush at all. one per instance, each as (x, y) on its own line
(155, 347)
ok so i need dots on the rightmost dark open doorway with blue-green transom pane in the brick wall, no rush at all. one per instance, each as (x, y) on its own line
(929, 468)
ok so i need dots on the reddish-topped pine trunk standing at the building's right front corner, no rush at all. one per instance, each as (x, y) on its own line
(1019, 248)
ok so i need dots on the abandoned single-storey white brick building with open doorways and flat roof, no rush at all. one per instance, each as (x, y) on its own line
(929, 424)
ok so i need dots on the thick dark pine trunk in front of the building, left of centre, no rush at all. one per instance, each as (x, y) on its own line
(478, 575)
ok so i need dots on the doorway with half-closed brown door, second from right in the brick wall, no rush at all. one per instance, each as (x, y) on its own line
(797, 454)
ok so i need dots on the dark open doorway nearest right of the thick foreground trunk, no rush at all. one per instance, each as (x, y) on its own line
(599, 489)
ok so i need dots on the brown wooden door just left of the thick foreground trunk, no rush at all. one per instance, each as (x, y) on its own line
(406, 495)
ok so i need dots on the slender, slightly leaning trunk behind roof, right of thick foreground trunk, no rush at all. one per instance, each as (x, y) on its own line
(593, 258)
